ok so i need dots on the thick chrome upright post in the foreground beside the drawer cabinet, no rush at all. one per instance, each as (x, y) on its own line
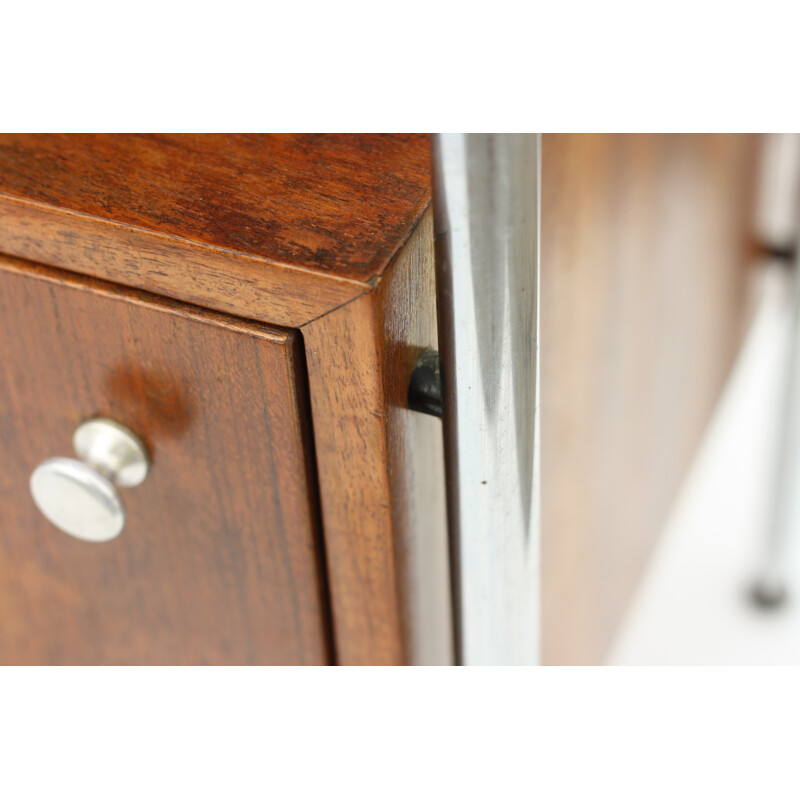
(486, 211)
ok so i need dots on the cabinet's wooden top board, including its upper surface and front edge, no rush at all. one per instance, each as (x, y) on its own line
(280, 227)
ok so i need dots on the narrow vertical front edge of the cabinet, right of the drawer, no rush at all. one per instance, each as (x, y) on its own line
(348, 407)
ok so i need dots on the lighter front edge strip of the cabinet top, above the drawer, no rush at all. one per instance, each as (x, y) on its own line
(224, 281)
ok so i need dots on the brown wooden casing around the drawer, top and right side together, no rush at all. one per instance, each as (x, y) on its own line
(285, 230)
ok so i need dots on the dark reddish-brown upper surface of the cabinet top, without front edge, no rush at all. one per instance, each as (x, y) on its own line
(340, 204)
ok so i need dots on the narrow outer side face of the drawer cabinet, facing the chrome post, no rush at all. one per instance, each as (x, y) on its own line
(414, 445)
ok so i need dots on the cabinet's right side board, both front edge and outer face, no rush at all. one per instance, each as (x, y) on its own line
(381, 469)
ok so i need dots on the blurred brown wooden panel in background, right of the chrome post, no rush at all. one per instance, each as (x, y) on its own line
(645, 246)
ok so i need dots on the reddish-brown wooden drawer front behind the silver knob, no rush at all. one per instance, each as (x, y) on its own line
(220, 559)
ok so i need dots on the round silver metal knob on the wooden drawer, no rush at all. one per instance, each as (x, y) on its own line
(81, 497)
